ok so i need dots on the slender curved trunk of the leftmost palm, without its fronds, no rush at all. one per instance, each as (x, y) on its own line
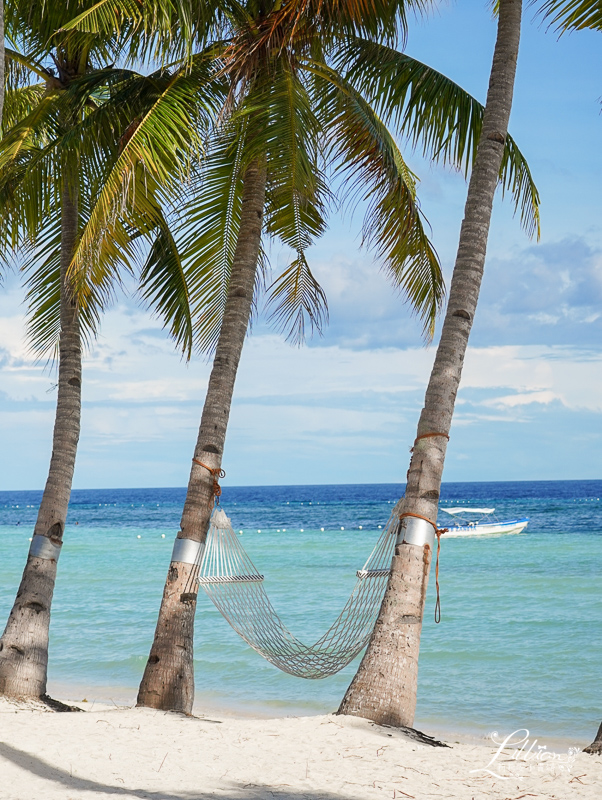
(24, 644)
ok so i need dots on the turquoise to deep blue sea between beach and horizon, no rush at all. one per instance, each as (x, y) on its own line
(520, 639)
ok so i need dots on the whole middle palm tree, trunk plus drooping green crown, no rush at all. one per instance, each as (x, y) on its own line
(291, 115)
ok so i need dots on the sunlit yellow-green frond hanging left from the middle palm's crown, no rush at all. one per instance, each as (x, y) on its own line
(159, 146)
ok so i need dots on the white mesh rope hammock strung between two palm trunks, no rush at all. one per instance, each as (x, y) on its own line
(235, 586)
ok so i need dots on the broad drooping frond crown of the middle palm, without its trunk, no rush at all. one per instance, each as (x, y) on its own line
(310, 88)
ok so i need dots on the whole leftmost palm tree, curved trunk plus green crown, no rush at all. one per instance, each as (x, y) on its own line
(60, 141)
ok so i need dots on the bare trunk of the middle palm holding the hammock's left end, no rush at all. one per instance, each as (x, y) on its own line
(168, 680)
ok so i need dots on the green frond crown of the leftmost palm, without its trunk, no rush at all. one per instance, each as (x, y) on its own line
(58, 83)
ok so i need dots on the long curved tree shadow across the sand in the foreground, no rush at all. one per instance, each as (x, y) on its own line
(42, 769)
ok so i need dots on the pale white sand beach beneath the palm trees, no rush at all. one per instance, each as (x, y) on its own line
(140, 753)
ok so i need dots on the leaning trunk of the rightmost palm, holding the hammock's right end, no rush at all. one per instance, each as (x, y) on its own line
(384, 688)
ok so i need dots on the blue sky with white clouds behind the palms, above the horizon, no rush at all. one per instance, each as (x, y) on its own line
(344, 408)
